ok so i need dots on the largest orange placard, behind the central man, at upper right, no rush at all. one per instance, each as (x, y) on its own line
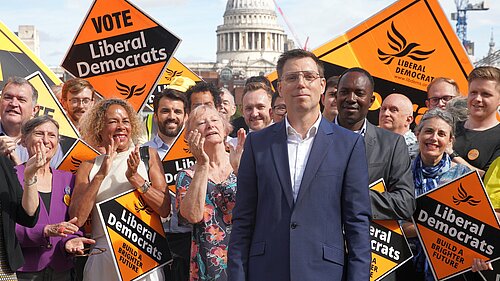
(404, 47)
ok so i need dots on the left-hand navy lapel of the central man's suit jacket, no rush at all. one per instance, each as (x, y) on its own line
(279, 151)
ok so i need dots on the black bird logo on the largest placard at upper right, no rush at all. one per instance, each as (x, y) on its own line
(402, 48)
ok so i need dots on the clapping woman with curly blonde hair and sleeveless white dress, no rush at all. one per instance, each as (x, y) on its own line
(114, 125)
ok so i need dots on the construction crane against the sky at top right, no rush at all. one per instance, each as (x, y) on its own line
(461, 17)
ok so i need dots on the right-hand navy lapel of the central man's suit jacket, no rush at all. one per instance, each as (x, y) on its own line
(319, 150)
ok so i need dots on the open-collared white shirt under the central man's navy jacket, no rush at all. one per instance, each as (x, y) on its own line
(298, 152)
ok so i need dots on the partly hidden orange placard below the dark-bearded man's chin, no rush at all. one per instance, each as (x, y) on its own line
(178, 157)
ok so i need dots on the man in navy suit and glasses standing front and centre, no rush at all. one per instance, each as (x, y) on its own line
(302, 191)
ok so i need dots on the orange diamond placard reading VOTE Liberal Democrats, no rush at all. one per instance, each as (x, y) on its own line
(121, 51)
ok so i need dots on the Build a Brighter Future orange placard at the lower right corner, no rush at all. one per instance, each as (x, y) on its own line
(455, 224)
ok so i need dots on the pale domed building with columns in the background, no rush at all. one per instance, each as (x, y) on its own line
(249, 43)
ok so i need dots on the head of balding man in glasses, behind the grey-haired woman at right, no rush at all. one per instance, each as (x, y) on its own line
(440, 91)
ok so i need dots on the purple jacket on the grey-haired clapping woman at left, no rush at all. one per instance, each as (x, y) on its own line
(40, 252)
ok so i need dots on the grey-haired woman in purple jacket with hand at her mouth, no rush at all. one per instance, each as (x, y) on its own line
(45, 245)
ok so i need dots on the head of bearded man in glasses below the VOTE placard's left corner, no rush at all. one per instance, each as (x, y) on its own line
(77, 97)
